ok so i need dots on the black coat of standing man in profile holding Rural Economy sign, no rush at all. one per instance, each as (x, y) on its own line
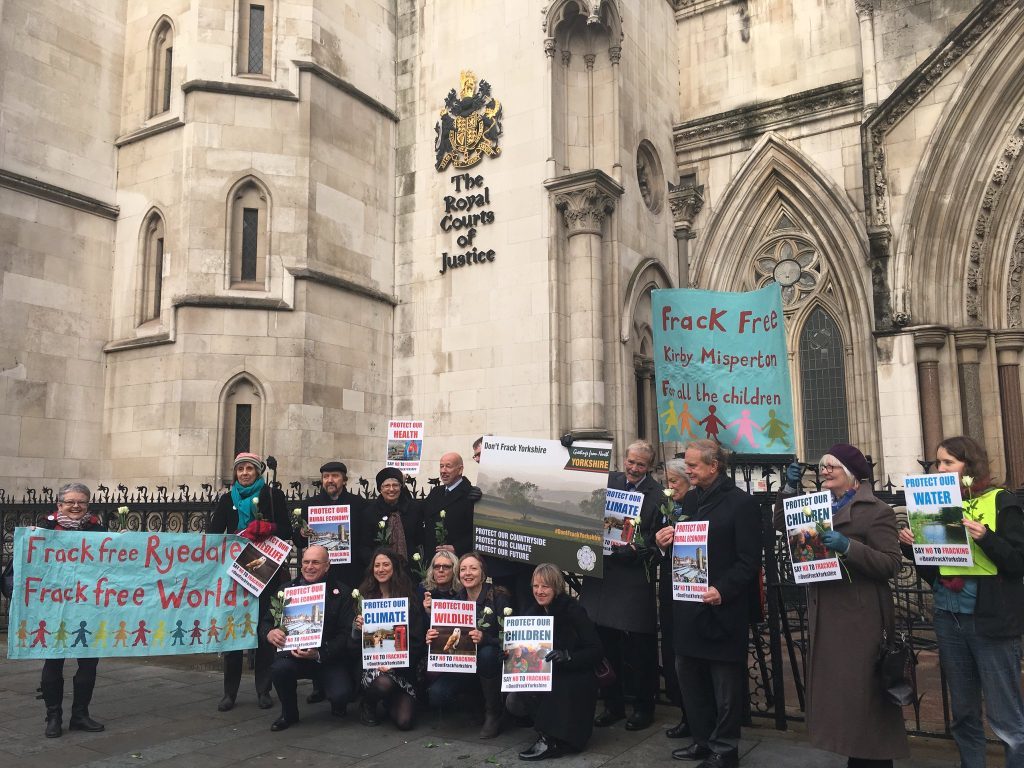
(720, 632)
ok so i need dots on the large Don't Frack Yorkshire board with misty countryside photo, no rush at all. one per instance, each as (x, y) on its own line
(543, 502)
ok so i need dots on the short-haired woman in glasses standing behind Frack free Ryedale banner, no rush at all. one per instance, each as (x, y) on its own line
(72, 515)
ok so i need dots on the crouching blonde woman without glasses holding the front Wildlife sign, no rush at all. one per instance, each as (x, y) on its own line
(491, 603)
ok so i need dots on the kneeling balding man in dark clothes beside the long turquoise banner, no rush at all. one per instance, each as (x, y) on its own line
(330, 664)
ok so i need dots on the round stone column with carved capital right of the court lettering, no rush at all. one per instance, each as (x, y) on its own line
(585, 201)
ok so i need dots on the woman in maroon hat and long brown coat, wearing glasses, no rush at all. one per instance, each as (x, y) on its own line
(847, 712)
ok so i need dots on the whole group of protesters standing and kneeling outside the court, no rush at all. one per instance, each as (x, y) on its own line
(613, 628)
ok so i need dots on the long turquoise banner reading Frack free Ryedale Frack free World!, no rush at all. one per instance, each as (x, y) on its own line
(98, 594)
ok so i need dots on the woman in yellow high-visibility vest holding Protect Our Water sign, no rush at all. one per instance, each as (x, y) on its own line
(979, 611)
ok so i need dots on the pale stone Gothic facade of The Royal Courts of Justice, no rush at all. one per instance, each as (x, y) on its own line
(231, 224)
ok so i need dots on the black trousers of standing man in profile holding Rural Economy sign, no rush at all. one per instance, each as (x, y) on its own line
(713, 698)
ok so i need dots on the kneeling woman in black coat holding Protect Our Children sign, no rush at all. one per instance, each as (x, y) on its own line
(564, 717)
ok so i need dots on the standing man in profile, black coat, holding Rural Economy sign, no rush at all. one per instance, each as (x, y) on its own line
(711, 637)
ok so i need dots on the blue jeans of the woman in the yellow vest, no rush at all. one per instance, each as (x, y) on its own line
(976, 666)
